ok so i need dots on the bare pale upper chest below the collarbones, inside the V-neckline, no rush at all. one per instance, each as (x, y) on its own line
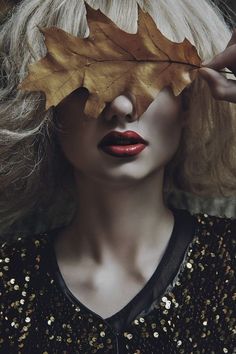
(105, 291)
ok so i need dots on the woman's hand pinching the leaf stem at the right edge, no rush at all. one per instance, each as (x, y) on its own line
(222, 88)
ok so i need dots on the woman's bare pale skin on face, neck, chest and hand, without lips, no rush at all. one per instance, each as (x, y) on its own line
(122, 226)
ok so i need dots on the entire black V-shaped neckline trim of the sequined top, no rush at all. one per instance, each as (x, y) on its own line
(182, 235)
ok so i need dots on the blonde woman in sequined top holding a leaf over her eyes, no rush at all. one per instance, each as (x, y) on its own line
(127, 274)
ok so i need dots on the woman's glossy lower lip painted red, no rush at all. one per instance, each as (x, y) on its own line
(123, 150)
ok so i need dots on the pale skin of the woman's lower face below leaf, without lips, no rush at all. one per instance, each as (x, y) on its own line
(160, 125)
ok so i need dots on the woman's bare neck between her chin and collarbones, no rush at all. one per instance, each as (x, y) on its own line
(120, 219)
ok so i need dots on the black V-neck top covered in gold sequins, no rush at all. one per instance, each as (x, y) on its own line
(192, 310)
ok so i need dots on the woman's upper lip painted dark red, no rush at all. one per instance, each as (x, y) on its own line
(115, 137)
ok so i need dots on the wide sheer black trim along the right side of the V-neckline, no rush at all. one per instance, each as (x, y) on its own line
(165, 272)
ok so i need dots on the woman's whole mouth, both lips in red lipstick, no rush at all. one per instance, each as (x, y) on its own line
(124, 144)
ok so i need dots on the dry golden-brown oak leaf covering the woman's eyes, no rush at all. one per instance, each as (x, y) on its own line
(110, 62)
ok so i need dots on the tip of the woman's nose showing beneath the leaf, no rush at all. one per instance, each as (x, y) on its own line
(122, 107)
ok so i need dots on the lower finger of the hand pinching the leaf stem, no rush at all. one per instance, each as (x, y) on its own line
(221, 88)
